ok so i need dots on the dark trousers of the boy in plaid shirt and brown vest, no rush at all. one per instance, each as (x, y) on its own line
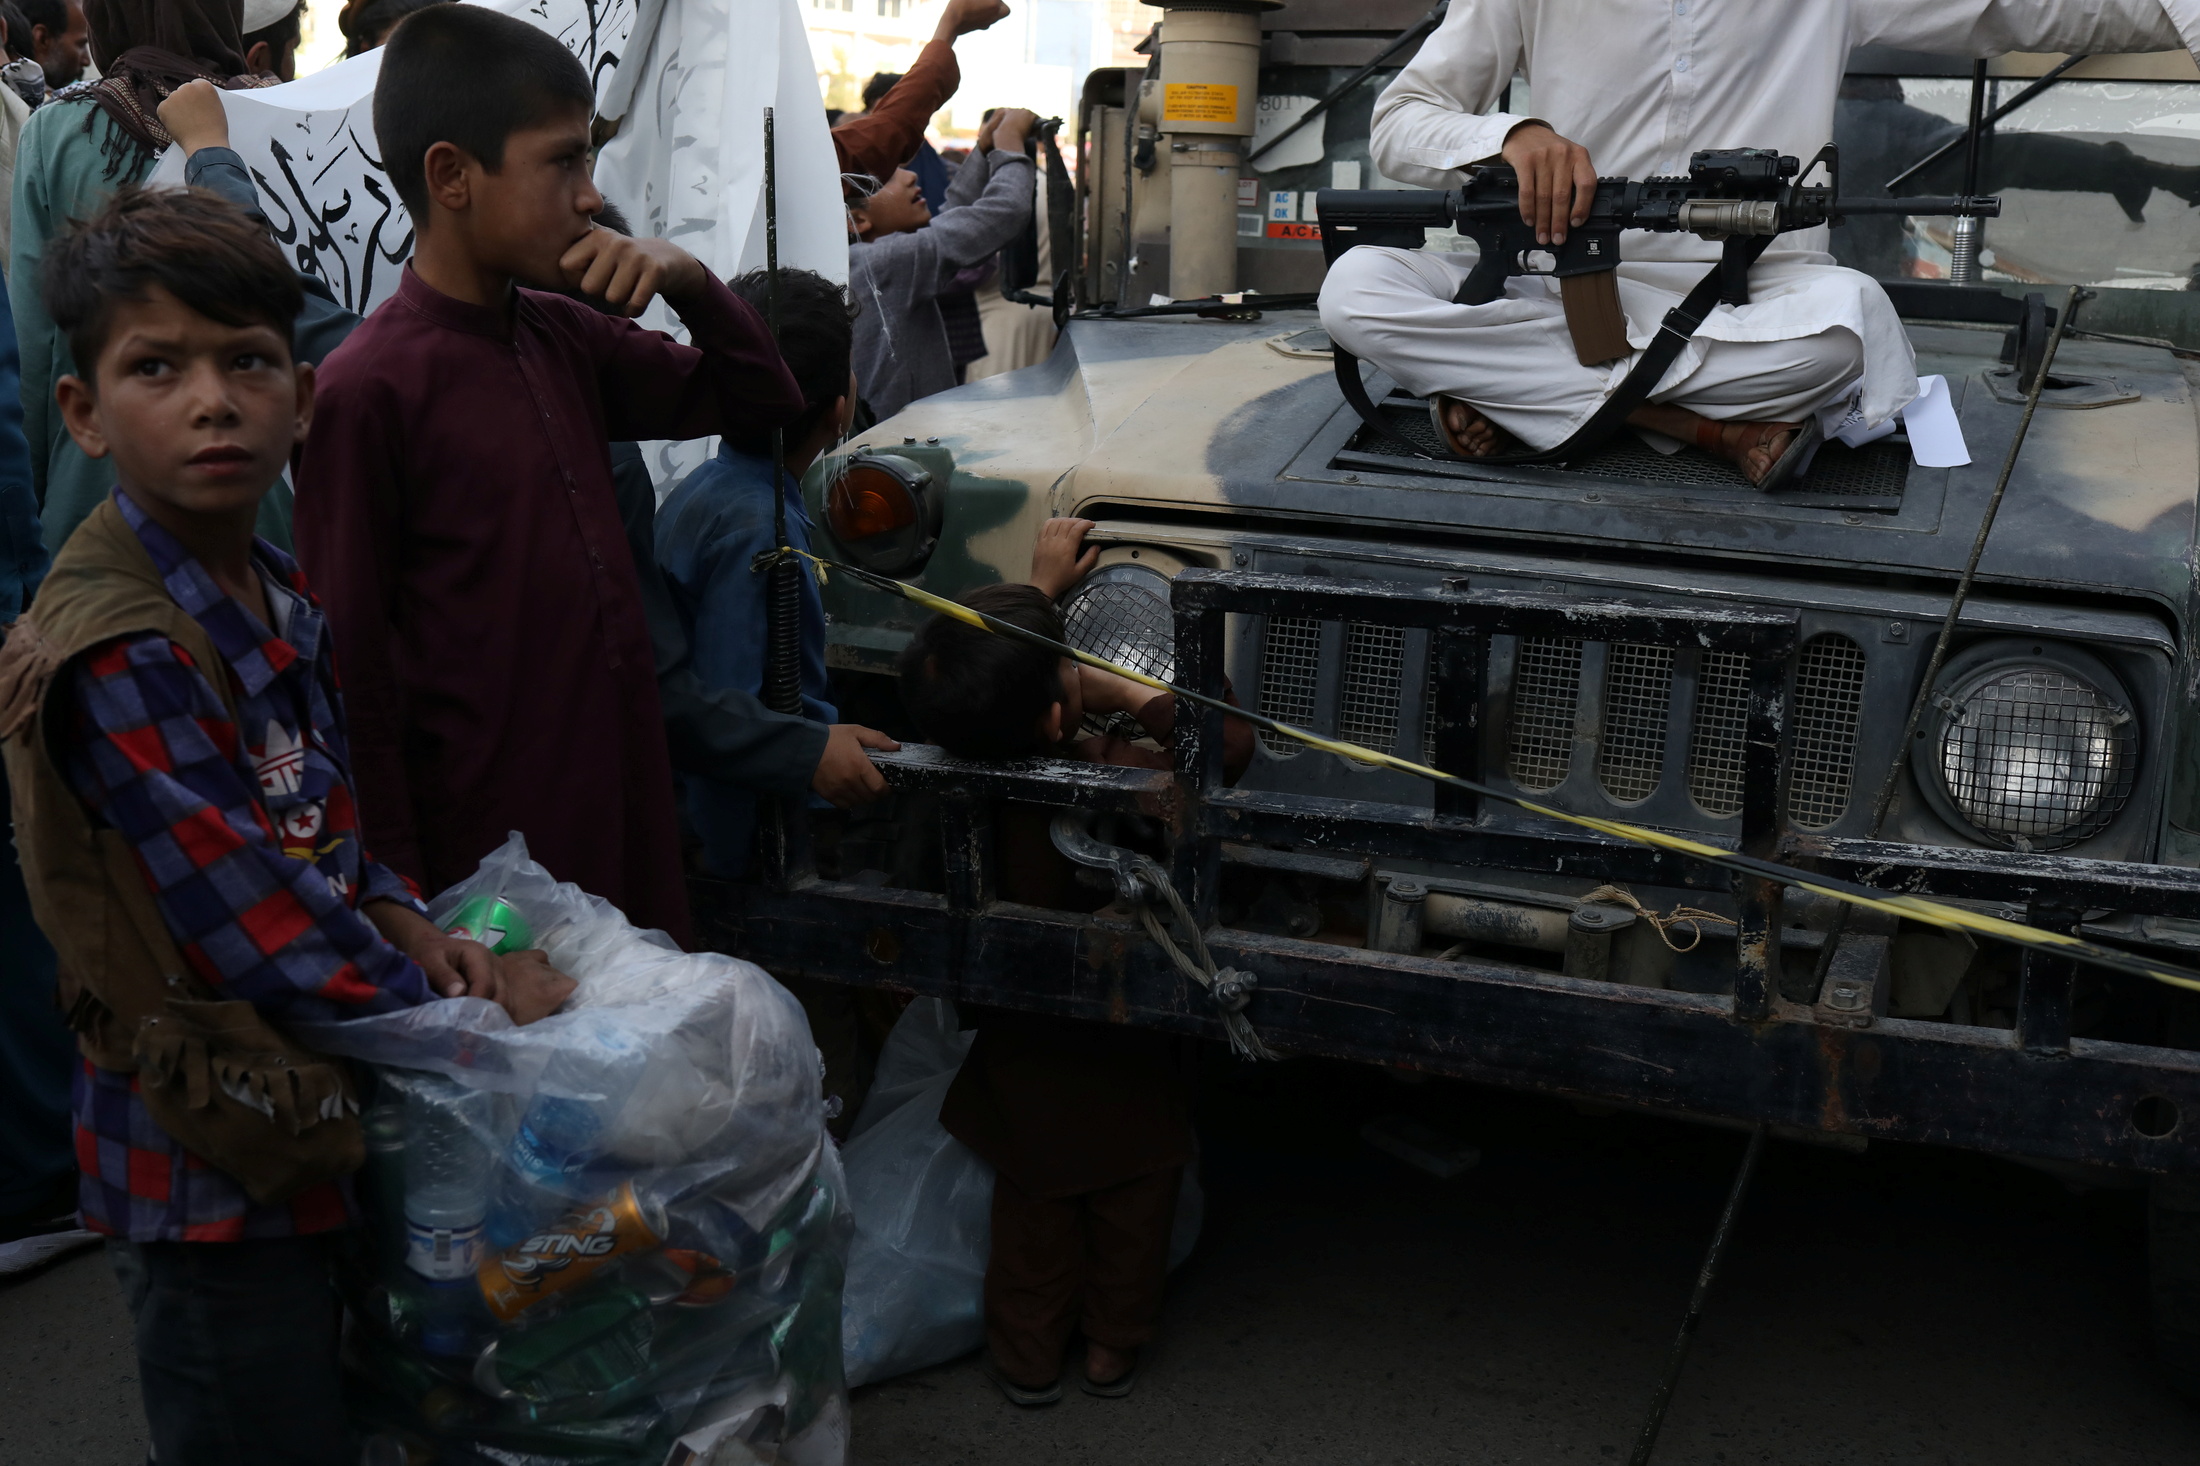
(236, 1350)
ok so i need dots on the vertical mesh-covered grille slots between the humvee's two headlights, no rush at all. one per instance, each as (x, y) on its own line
(1633, 708)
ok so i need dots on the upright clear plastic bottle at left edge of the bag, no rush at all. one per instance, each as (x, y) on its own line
(445, 1205)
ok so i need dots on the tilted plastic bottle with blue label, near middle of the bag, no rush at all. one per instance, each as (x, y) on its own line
(558, 1135)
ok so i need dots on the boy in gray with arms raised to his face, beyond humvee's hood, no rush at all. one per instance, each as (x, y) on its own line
(901, 261)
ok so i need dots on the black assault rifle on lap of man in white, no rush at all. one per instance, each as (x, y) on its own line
(1739, 195)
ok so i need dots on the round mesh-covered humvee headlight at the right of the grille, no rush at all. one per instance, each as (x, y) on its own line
(2029, 752)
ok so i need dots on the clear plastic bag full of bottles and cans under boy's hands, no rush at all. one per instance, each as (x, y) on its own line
(615, 1236)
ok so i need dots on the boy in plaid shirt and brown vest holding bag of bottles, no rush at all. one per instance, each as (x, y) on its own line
(179, 767)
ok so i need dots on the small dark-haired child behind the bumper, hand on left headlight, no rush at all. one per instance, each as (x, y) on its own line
(1088, 1126)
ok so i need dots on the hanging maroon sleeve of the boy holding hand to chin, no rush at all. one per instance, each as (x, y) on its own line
(349, 543)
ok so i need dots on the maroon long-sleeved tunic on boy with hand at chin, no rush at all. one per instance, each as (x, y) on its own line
(456, 514)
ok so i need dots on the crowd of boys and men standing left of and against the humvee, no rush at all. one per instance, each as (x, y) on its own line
(221, 490)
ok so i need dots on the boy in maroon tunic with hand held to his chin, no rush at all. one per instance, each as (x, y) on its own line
(456, 503)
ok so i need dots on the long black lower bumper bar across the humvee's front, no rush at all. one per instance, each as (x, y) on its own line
(1941, 1084)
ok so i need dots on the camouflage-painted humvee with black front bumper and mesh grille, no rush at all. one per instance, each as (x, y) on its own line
(1631, 635)
